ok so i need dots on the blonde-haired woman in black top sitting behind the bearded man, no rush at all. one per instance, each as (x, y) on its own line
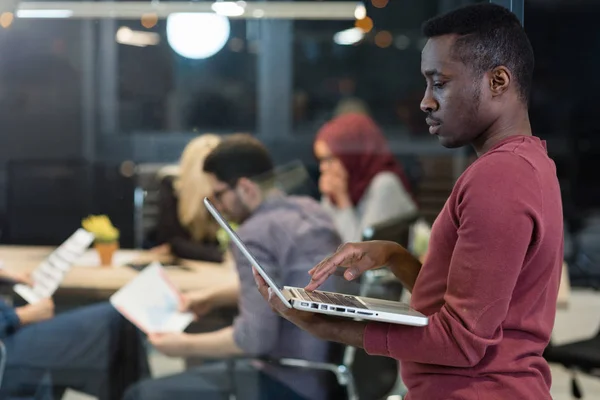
(184, 227)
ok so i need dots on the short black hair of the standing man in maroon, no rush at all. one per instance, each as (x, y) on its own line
(490, 36)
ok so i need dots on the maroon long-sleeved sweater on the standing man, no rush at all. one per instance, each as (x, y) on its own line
(489, 284)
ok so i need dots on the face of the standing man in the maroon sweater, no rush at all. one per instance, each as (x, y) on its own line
(455, 98)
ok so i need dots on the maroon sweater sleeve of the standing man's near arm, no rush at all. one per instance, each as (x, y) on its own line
(495, 218)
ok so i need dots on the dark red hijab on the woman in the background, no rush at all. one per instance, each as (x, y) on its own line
(357, 141)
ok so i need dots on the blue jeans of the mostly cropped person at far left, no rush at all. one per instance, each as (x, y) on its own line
(92, 349)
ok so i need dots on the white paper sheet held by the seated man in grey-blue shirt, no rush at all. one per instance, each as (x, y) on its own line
(151, 302)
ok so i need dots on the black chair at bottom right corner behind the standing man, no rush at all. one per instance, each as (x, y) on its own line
(579, 356)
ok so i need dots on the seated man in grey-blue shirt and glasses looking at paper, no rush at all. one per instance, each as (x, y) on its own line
(287, 235)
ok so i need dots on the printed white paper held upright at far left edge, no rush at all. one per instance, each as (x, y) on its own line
(48, 276)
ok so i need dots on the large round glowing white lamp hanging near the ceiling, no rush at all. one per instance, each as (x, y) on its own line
(197, 35)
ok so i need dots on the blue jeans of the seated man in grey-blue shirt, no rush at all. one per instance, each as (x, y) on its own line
(213, 382)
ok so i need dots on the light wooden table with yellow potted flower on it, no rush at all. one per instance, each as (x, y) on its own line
(101, 282)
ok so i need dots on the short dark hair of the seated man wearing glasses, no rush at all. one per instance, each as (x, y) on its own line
(238, 156)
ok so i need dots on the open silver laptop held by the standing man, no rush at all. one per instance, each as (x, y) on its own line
(321, 302)
